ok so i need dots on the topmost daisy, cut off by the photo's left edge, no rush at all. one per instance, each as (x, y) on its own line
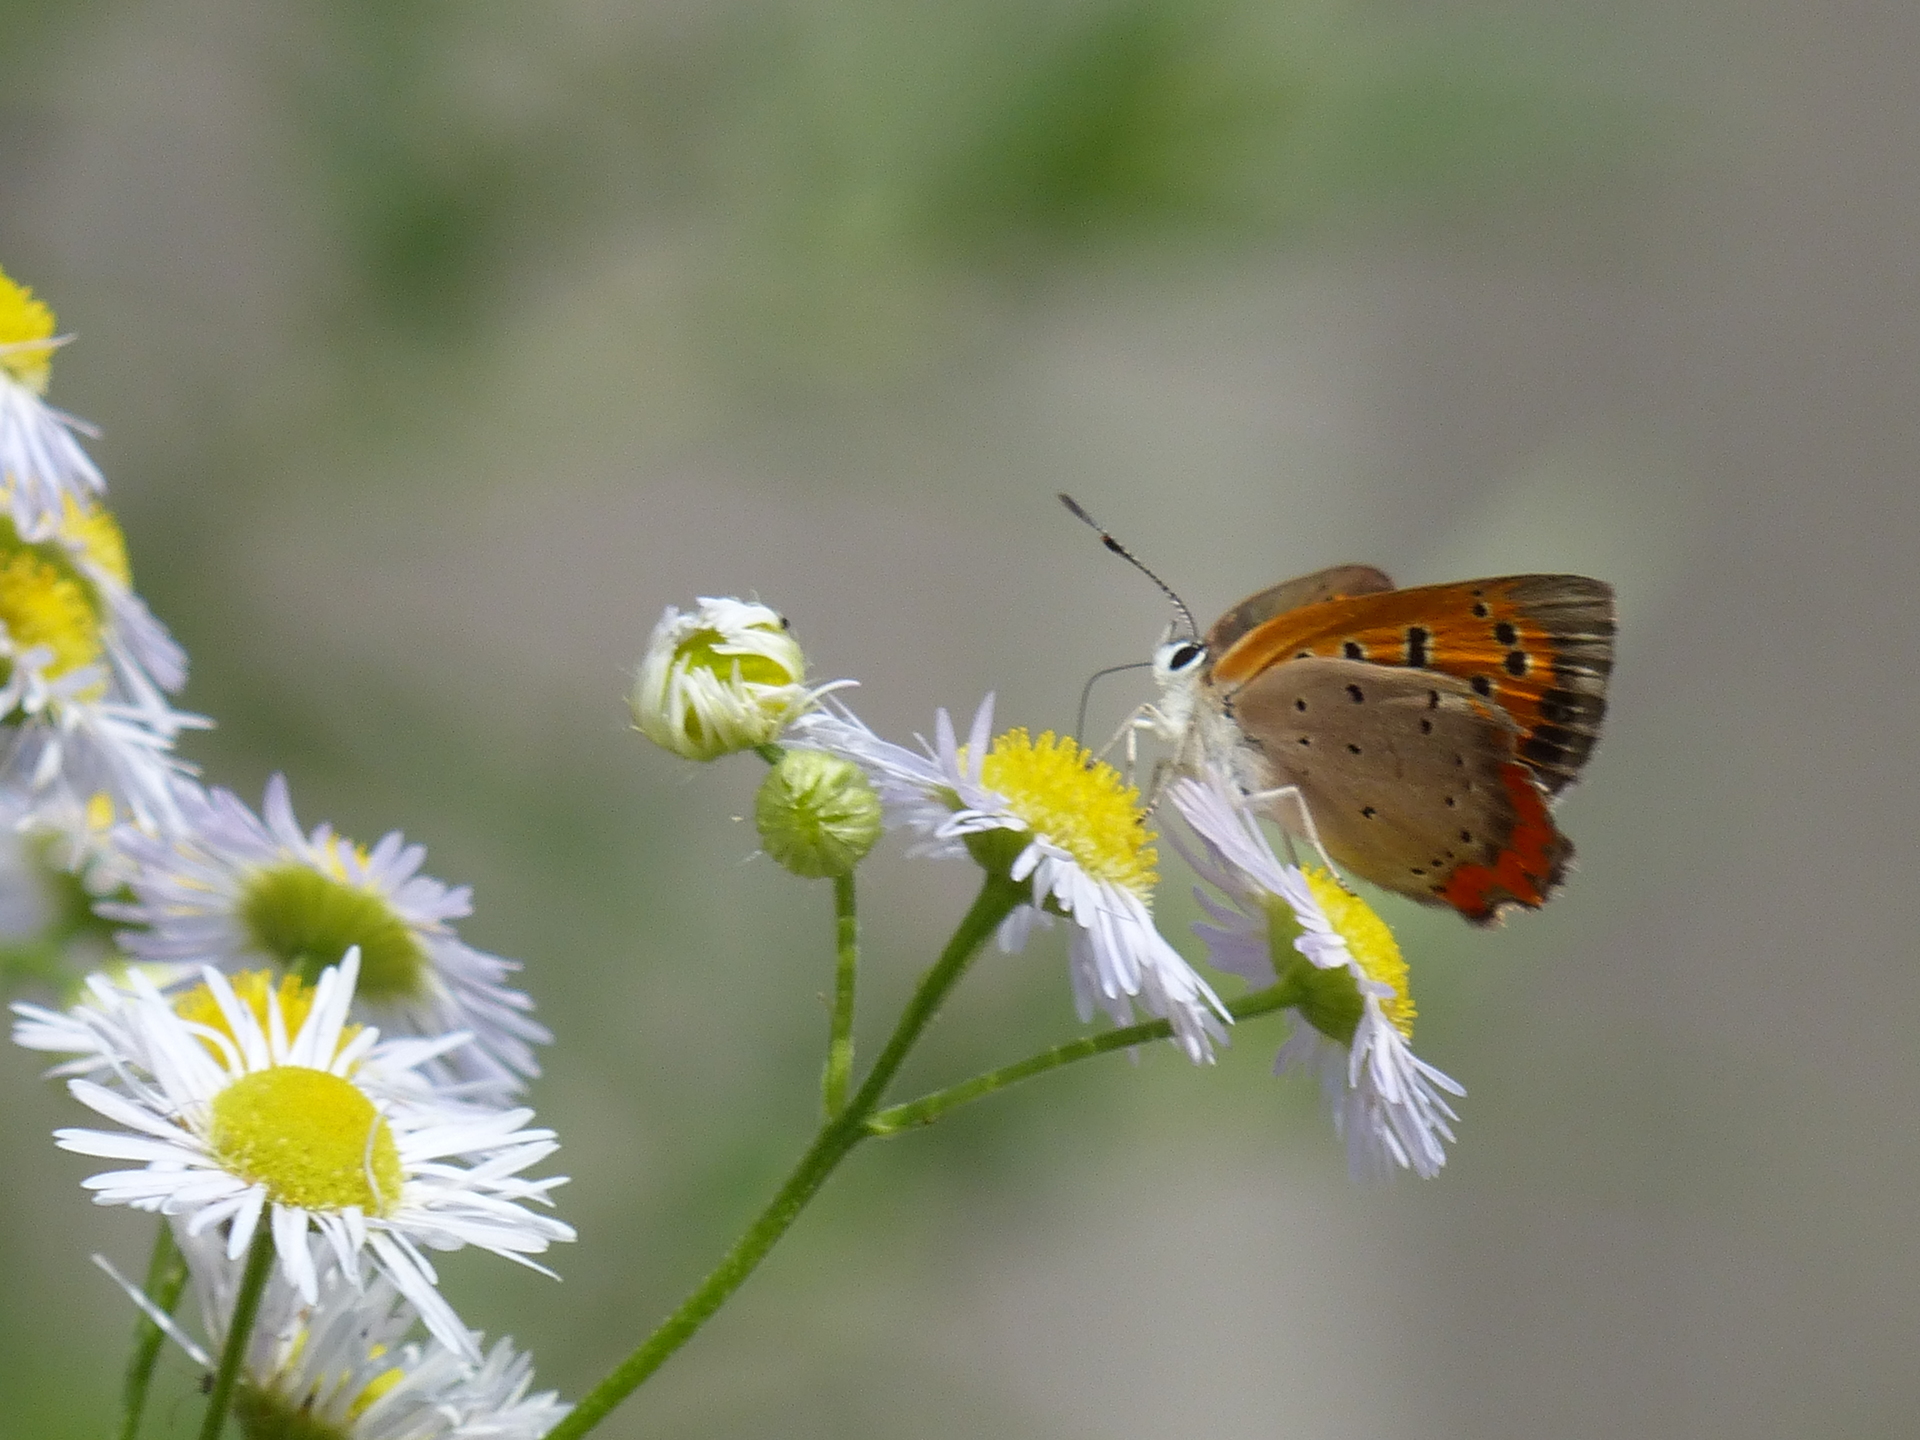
(41, 460)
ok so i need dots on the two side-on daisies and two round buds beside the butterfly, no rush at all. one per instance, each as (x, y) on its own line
(1072, 838)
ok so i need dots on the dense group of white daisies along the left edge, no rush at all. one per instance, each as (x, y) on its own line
(289, 1053)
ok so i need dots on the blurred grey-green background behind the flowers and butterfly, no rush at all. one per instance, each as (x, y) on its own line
(439, 347)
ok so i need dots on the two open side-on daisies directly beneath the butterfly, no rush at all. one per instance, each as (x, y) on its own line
(1053, 817)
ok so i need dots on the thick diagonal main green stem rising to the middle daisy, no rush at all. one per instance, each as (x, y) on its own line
(832, 1145)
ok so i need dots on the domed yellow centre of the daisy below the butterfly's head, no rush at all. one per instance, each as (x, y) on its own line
(1076, 802)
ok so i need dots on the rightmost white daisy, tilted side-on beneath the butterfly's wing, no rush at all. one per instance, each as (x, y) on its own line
(1353, 1019)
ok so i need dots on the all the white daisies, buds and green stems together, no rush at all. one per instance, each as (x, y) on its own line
(293, 1061)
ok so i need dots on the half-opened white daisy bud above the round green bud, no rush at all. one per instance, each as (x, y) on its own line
(721, 679)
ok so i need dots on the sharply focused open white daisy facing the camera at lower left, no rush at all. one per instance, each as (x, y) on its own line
(252, 1105)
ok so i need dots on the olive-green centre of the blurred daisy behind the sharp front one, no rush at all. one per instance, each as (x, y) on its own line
(308, 921)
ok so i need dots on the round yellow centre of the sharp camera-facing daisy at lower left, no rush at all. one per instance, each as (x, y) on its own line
(312, 1140)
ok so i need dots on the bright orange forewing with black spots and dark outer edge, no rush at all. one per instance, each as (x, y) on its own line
(1539, 646)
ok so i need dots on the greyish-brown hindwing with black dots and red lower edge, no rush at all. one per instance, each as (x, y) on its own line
(1412, 780)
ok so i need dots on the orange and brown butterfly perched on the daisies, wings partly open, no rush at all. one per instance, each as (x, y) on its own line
(1420, 736)
